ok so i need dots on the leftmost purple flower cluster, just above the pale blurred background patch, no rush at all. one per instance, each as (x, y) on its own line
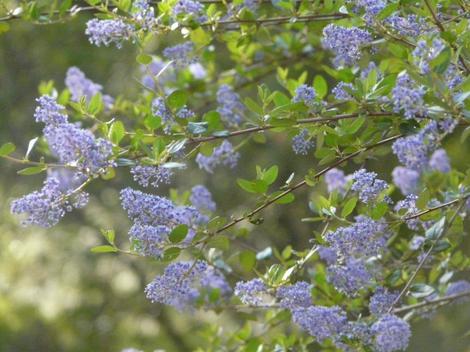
(48, 205)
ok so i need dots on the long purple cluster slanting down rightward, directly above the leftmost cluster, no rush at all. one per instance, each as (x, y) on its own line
(71, 144)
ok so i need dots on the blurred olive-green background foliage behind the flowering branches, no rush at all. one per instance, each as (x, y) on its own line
(57, 296)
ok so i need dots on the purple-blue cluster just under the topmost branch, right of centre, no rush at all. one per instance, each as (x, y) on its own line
(346, 43)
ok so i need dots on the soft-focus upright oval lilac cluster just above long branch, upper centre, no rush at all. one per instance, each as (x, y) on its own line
(230, 107)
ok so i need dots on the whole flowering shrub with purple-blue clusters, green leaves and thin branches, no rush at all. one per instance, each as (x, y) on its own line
(388, 244)
